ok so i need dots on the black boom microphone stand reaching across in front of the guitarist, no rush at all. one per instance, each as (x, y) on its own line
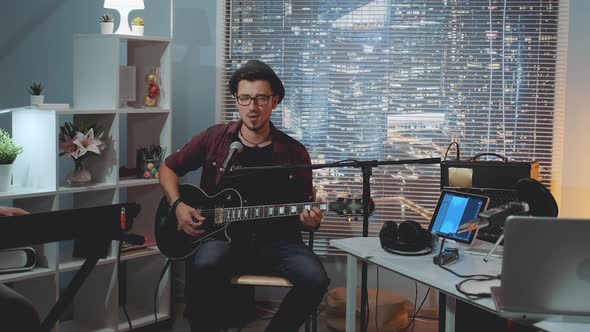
(367, 170)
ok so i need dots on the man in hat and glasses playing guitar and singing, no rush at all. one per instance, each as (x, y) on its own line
(264, 247)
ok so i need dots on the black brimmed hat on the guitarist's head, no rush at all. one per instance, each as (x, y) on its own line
(255, 70)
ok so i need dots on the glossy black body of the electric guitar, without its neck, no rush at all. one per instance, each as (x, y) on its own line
(176, 244)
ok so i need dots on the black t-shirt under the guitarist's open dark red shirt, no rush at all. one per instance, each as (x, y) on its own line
(264, 187)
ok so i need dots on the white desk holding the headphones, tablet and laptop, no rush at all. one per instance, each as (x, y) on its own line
(421, 269)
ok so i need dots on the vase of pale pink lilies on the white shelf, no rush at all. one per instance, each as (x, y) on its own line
(80, 143)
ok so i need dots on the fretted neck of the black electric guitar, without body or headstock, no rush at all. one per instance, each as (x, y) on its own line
(268, 211)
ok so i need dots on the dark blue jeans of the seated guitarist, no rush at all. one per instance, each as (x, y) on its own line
(216, 262)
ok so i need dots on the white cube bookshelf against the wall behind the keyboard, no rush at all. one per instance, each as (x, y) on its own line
(39, 183)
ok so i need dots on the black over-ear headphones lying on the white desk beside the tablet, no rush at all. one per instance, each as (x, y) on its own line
(407, 238)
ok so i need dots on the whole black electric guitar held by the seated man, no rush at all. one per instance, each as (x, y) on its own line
(225, 208)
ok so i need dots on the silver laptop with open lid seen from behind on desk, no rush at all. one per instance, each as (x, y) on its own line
(545, 269)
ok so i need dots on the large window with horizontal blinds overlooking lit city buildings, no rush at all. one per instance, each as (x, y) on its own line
(386, 80)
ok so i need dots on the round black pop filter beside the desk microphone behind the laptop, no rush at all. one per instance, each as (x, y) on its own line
(541, 202)
